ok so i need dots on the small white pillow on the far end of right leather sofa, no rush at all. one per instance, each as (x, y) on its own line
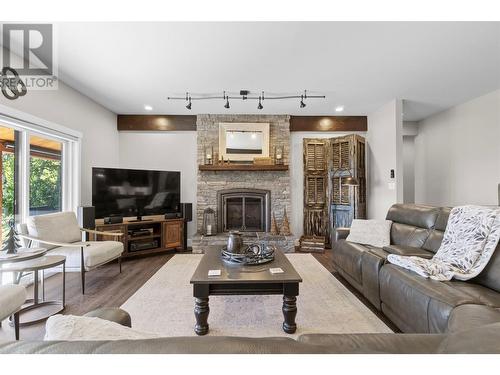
(370, 232)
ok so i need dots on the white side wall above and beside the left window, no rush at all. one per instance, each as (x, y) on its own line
(66, 106)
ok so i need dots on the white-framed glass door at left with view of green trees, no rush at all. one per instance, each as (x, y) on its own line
(40, 174)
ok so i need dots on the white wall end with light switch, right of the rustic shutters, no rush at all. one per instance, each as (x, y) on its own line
(385, 149)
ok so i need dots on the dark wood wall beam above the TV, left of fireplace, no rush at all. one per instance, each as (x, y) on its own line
(156, 122)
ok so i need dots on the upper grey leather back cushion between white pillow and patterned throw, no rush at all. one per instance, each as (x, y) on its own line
(414, 215)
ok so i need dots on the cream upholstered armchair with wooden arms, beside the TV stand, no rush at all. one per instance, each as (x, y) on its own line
(61, 235)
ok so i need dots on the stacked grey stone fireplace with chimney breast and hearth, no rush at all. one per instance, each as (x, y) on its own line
(243, 200)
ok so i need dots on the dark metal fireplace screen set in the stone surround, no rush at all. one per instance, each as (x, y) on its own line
(244, 210)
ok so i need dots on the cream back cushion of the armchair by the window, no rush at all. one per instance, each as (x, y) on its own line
(58, 227)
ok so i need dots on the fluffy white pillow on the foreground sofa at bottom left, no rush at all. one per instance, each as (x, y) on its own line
(85, 328)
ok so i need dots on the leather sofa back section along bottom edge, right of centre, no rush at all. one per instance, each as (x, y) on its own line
(375, 343)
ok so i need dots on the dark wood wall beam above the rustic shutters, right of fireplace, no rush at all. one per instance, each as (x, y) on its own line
(328, 123)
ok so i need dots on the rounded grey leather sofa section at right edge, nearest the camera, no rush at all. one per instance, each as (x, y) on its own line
(466, 317)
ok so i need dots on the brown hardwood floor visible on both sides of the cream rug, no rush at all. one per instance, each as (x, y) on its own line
(106, 287)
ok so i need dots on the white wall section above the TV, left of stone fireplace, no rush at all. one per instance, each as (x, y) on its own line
(170, 151)
